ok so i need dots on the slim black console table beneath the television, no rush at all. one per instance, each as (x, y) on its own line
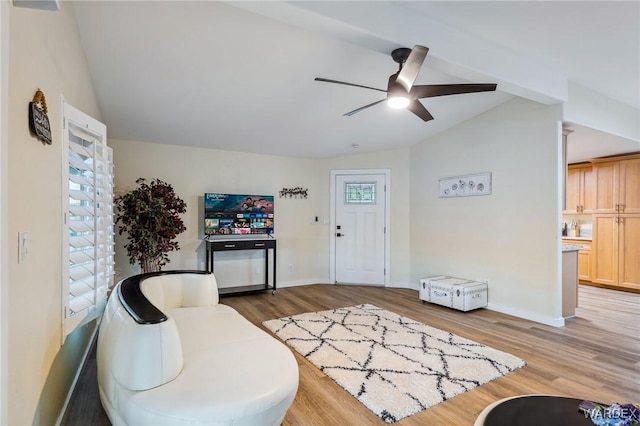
(257, 244)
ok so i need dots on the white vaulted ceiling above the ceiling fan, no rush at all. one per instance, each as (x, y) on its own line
(240, 75)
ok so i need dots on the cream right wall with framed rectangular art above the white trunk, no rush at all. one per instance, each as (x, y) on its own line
(510, 237)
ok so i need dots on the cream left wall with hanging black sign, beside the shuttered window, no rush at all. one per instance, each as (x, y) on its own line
(44, 53)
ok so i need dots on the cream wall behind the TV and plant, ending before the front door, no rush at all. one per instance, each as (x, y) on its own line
(194, 171)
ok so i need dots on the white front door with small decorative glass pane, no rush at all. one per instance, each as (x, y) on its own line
(359, 228)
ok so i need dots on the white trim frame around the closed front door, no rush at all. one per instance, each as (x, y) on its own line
(387, 218)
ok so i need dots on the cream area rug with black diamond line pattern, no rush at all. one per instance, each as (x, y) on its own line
(393, 365)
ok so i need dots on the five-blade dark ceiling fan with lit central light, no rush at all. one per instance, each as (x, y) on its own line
(401, 93)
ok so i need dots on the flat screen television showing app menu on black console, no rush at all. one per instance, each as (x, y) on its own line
(237, 214)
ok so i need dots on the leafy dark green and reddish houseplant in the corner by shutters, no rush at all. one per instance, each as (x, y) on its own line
(150, 215)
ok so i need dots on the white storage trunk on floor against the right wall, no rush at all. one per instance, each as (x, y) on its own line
(457, 293)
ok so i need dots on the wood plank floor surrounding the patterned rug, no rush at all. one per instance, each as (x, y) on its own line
(596, 356)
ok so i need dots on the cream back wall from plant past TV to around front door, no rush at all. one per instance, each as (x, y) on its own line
(303, 244)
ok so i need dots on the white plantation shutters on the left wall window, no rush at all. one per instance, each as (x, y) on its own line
(89, 228)
